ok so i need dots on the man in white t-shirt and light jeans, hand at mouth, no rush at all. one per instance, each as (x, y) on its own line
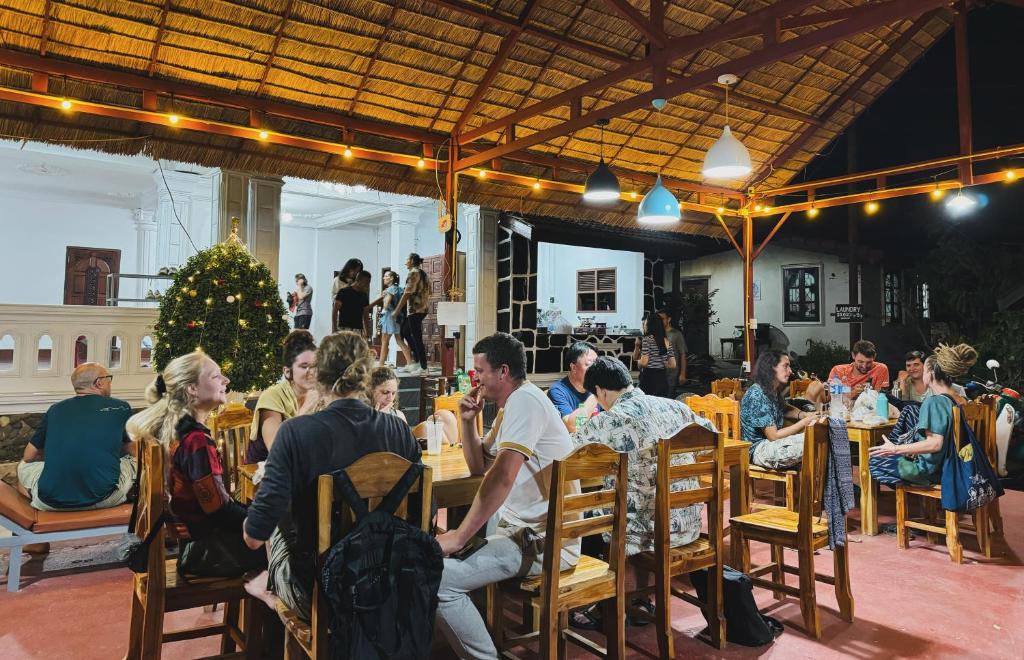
(516, 461)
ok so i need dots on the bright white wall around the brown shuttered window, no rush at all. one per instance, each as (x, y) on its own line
(558, 266)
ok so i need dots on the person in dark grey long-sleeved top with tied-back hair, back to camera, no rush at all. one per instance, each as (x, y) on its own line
(311, 446)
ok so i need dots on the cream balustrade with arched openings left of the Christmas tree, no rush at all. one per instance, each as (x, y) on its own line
(41, 344)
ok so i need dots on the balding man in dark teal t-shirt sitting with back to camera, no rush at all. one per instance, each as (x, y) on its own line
(80, 457)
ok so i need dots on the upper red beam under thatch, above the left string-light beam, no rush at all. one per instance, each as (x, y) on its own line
(216, 98)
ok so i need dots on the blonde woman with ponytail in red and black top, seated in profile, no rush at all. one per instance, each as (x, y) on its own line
(210, 522)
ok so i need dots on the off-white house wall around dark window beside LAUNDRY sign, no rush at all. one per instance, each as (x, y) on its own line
(726, 274)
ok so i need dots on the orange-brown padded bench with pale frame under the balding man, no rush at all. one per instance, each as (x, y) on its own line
(28, 525)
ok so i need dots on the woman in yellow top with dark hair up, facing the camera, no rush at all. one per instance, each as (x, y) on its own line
(294, 395)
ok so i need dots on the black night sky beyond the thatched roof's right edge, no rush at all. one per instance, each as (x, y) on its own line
(916, 120)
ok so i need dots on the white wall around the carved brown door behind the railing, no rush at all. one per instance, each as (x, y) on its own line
(36, 235)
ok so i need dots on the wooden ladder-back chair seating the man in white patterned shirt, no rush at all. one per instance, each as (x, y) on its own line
(667, 562)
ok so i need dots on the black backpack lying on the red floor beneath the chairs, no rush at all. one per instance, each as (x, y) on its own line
(744, 624)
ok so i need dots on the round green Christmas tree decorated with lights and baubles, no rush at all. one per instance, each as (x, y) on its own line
(226, 303)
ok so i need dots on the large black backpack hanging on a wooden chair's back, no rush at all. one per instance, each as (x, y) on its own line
(380, 581)
